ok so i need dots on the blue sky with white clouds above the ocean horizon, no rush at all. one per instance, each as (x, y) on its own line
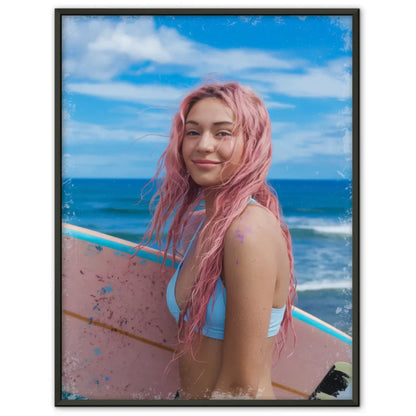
(124, 77)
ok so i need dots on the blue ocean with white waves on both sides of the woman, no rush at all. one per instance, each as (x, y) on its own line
(318, 213)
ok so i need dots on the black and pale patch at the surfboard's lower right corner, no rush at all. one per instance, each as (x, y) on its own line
(337, 380)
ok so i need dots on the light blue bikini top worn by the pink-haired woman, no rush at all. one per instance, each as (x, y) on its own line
(215, 318)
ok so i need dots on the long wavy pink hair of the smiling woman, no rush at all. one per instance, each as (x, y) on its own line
(178, 197)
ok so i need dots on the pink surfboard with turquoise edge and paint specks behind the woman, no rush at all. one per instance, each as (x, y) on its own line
(118, 336)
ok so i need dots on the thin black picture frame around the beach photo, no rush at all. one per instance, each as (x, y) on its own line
(354, 13)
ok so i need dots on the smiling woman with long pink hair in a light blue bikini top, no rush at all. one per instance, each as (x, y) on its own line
(233, 290)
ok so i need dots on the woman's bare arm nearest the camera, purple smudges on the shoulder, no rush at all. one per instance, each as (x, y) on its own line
(253, 248)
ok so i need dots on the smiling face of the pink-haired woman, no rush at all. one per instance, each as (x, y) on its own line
(209, 149)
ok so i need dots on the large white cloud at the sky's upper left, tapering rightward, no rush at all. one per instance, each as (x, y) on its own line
(102, 48)
